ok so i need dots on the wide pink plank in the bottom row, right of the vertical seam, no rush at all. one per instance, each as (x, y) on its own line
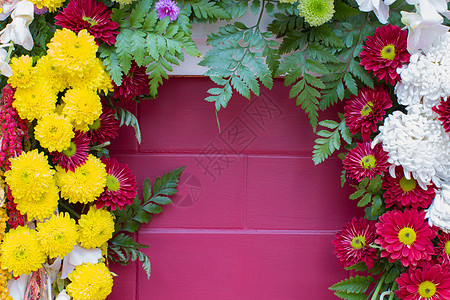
(225, 266)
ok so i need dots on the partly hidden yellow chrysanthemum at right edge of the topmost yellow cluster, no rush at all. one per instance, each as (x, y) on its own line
(94, 78)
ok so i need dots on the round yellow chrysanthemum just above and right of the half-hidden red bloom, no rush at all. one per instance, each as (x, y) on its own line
(82, 107)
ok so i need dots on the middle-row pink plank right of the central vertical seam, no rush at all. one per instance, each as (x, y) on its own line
(292, 193)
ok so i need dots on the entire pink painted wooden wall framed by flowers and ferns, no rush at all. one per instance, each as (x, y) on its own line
(253, 219)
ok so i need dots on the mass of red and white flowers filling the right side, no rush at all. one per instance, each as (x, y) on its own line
(398, 160)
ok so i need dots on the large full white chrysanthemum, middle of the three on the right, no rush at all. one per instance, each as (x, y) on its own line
(419, 144)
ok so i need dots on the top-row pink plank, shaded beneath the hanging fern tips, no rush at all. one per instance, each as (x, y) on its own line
(270, 123)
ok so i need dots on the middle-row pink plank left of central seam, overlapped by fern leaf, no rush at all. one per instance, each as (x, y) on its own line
(200, 202)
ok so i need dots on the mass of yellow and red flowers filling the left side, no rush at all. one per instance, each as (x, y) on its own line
(67, 208)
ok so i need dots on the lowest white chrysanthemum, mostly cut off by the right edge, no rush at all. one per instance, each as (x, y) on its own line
(439, 212)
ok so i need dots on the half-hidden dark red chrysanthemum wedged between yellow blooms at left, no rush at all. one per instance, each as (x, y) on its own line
(75, 155)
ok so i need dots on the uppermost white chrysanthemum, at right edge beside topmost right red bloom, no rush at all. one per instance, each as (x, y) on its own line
(426, 78)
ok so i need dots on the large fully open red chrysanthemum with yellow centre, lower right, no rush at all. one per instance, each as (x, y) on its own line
(405, 236)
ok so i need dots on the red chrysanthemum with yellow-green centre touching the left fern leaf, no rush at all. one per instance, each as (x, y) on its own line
(120, 187)
